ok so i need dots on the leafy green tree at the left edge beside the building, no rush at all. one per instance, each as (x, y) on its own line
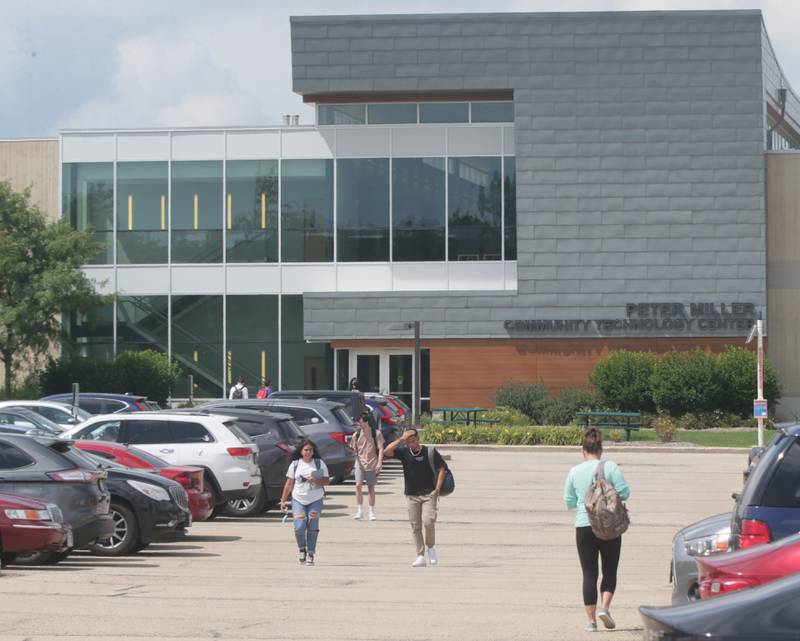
(40, 277)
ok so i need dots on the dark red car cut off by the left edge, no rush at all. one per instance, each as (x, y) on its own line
(28, 525)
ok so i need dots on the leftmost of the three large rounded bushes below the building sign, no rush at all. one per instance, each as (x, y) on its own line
(622, 381)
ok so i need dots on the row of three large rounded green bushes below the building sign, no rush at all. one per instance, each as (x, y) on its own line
(679, 383)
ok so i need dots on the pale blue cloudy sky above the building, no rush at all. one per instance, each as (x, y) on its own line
(182, 63)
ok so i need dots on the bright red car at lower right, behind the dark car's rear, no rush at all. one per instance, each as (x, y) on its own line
(724, 573)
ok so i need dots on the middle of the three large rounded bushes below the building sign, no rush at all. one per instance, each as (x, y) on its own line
(686, 382)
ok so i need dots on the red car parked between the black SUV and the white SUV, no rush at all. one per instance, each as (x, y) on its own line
(201, 502)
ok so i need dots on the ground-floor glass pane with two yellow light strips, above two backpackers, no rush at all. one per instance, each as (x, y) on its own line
(251, 332)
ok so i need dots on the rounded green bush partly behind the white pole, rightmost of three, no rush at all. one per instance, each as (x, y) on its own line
(737, 373)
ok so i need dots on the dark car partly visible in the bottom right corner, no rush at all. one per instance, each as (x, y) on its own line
(766, 613)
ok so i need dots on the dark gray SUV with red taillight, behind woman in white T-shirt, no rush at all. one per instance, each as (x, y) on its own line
(325, 423)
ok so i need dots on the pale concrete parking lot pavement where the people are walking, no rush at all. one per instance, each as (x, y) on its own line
(508, 566)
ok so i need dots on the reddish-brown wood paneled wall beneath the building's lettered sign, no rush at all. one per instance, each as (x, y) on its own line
(468, 372)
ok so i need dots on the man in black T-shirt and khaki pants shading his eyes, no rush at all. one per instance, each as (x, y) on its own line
(422, 488)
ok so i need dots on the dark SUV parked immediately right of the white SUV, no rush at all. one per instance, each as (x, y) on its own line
(276, 435)
